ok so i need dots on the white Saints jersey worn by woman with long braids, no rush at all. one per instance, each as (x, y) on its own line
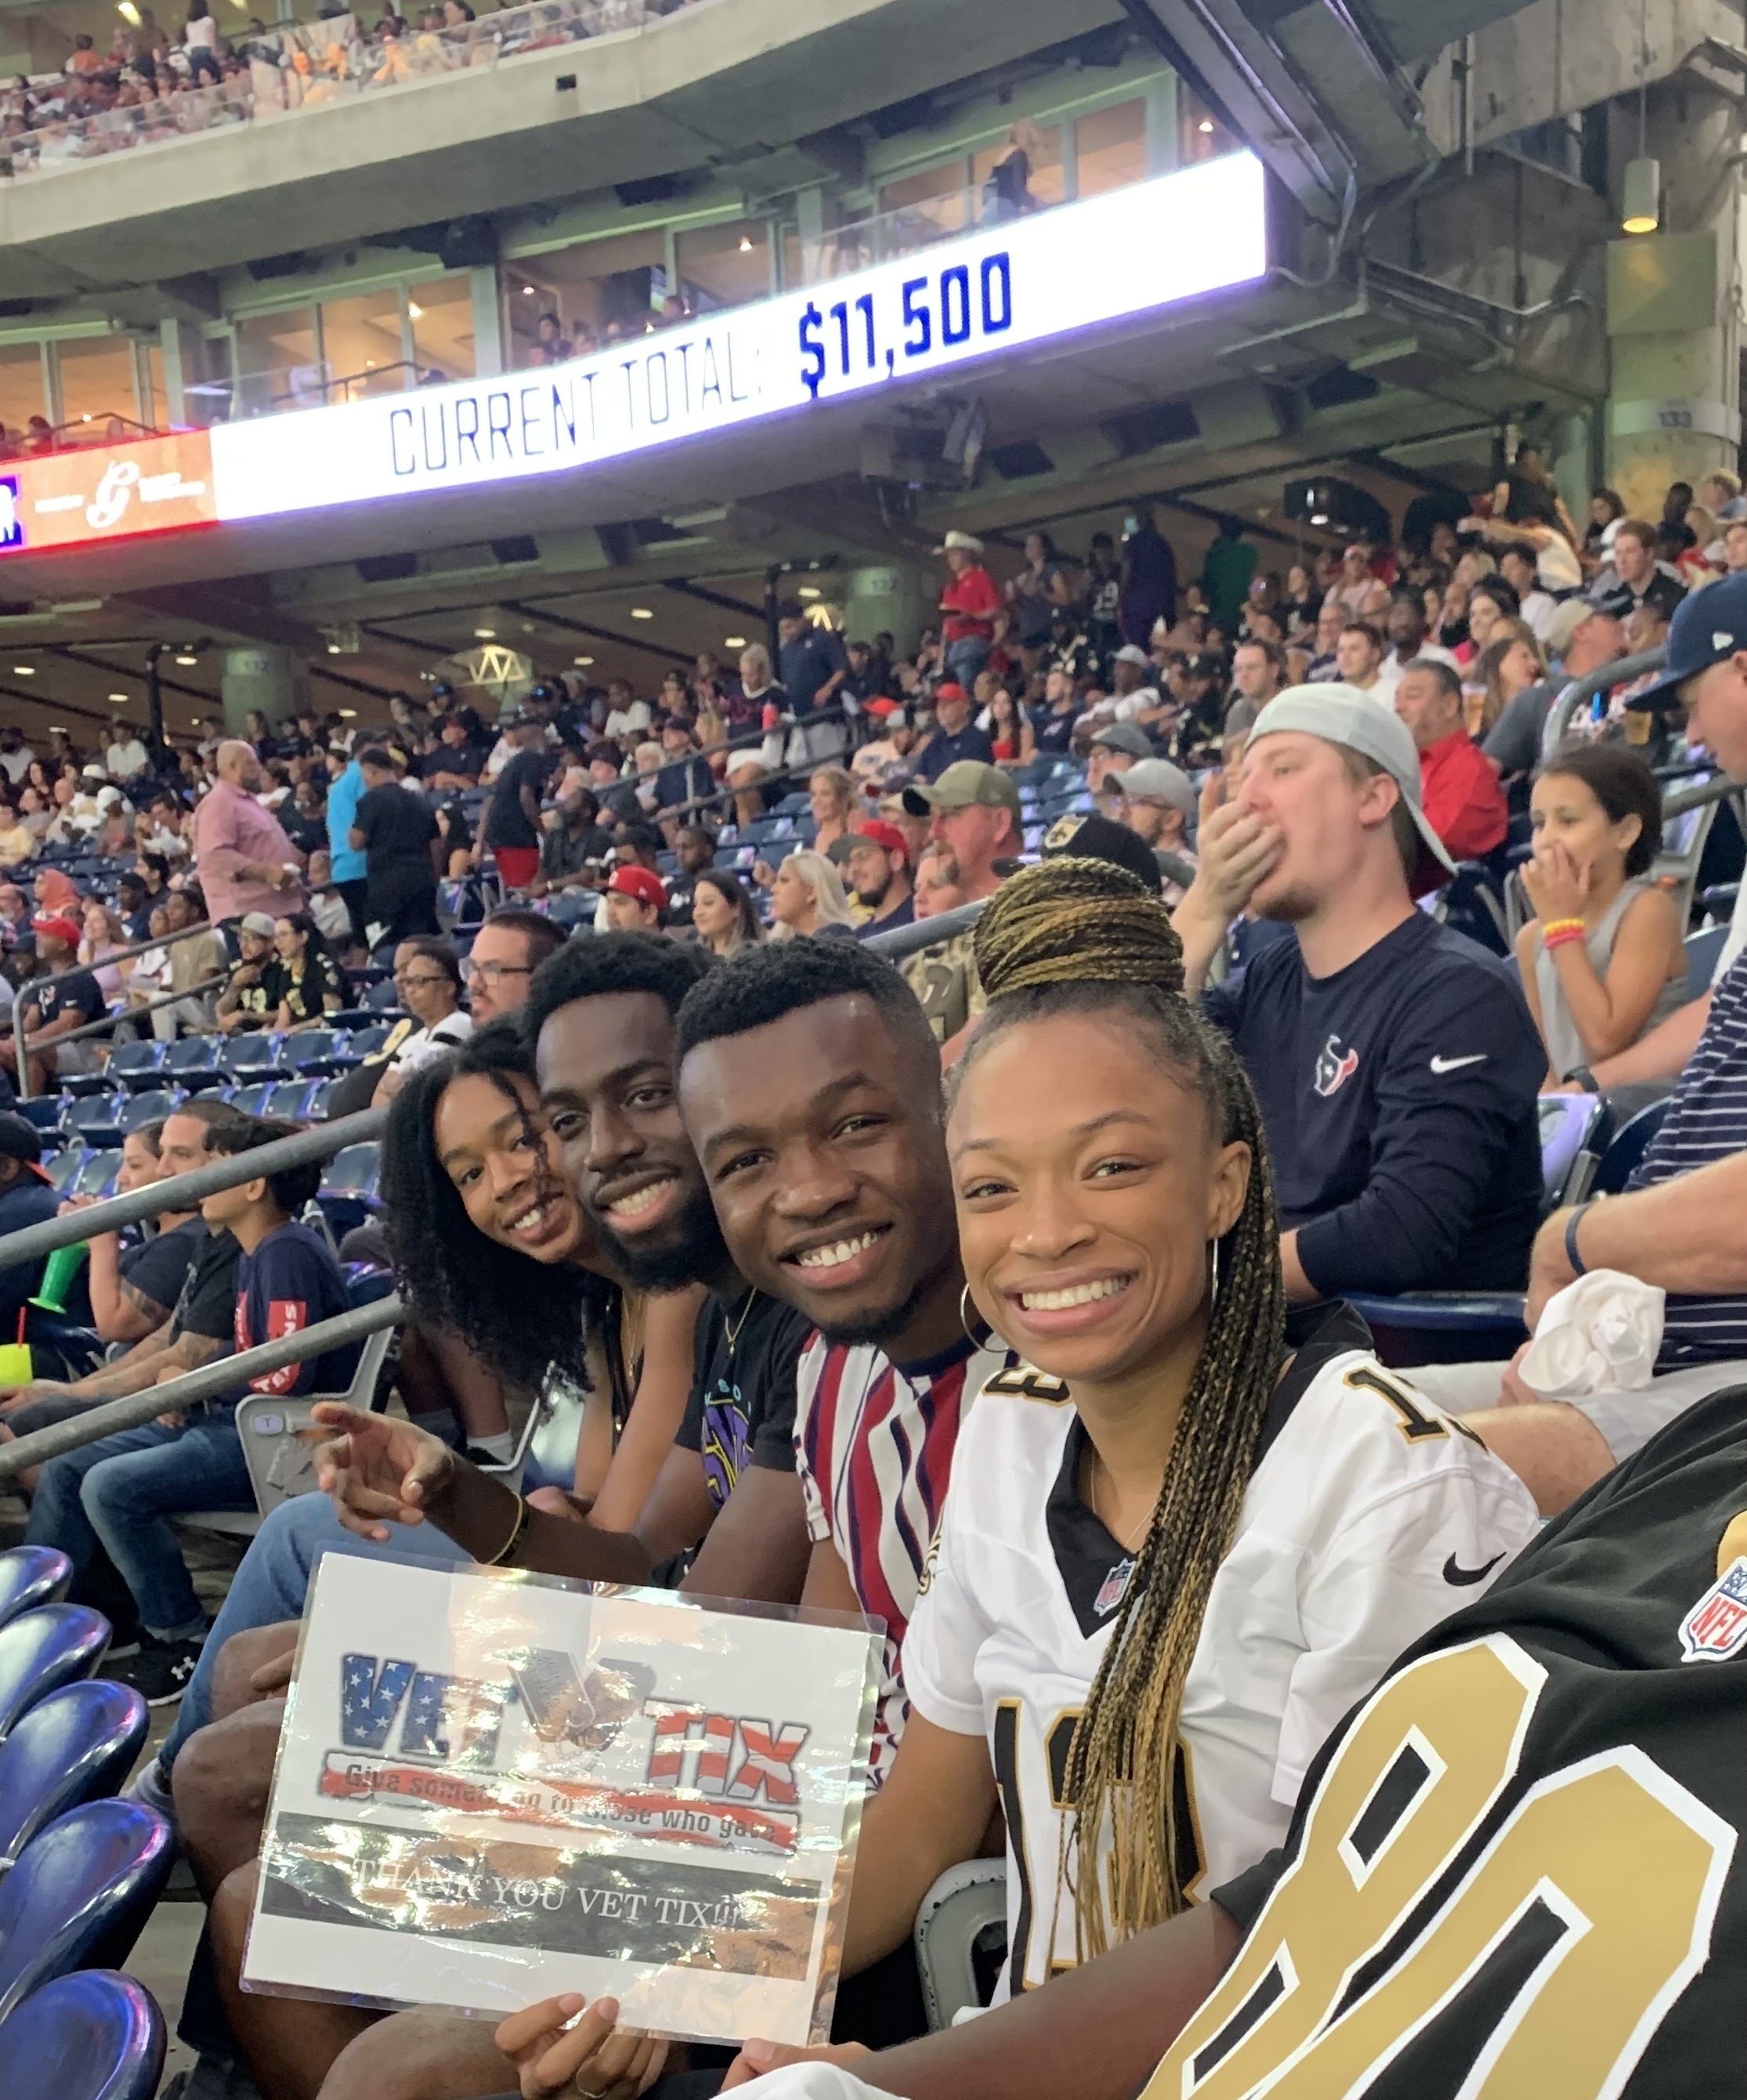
(1370, 1517)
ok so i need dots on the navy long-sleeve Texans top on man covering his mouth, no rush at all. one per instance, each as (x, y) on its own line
(1399, 1104)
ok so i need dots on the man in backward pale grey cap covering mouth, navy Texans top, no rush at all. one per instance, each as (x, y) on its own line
(1393, 1059)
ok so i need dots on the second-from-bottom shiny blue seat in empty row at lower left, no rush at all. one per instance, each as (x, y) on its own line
(81, 1893)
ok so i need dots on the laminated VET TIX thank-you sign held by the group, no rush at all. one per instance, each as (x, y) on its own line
(494, 1788)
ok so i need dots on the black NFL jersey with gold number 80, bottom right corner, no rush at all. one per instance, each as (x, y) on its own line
(1530, 1841)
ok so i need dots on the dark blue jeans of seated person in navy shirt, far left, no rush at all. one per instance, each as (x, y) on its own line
(119, 1494)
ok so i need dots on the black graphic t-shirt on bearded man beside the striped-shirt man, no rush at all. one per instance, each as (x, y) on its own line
(742, 1404)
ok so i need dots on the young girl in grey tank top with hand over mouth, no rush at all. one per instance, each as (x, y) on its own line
(1597, 812)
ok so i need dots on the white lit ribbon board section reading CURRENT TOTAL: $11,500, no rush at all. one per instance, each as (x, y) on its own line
(996, 291)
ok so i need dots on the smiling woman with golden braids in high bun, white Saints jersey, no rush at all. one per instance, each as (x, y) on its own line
(1187, 1532)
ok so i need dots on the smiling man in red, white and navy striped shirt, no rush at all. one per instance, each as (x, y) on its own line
(812, 1091)
